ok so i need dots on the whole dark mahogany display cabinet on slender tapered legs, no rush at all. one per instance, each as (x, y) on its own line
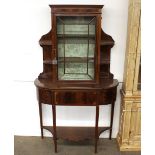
(76, 68)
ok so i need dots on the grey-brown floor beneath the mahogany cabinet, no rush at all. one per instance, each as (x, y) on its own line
(38, 146)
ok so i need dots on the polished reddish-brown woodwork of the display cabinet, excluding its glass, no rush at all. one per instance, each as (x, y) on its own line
(100, 91)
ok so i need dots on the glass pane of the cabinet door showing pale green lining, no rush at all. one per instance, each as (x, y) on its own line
(76, 47)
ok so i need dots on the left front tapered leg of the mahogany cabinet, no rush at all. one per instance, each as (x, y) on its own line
(54, 127)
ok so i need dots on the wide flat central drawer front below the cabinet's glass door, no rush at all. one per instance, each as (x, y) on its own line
(75, 98)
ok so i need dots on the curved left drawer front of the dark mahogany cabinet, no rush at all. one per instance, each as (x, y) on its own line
(44, 96)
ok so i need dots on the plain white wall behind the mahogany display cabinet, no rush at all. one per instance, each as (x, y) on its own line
(27, 22)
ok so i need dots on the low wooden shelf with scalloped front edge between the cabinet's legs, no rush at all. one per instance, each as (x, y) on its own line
(76, 133)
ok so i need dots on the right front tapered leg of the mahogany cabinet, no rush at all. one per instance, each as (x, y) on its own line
(96, 127)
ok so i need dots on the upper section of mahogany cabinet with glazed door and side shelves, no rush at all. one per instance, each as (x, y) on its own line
(76, 49)
